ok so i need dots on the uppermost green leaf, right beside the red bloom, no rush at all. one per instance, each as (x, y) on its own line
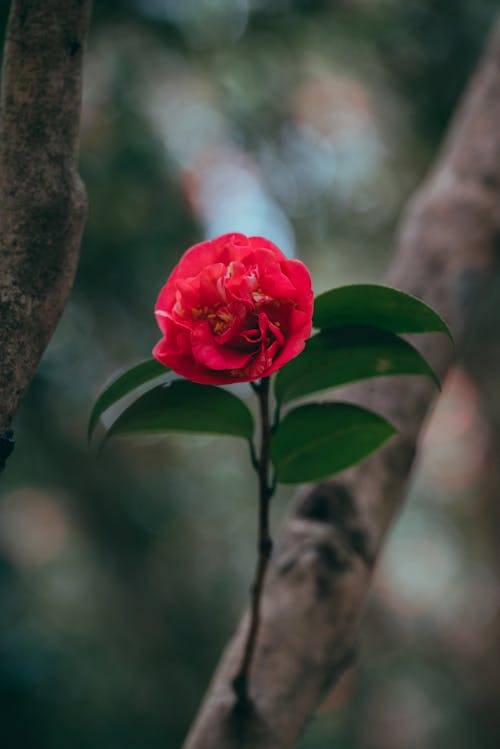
(378, 306)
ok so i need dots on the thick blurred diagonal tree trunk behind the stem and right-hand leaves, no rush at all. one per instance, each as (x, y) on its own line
(323, 564)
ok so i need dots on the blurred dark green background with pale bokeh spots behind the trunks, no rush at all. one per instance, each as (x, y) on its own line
(122, 575)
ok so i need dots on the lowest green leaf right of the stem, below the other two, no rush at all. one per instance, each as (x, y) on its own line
(319, 439)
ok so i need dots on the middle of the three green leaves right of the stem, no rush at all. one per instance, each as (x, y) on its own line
(335, 357)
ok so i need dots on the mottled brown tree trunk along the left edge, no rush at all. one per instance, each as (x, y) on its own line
(42, 200)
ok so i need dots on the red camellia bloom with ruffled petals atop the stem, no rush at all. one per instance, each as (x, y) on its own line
(234, 309)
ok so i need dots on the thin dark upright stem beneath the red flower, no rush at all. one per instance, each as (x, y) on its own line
(265, 545)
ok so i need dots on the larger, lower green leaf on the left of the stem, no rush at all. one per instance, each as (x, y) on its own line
(184, 406)
